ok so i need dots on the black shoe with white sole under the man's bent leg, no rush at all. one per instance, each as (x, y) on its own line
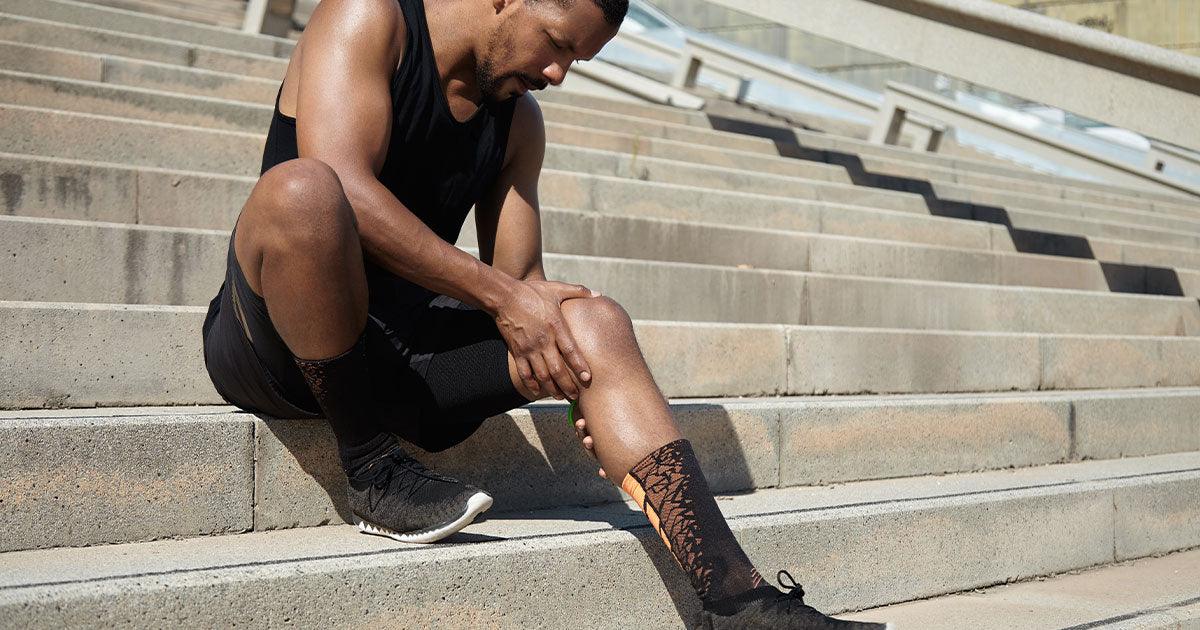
(395, 496)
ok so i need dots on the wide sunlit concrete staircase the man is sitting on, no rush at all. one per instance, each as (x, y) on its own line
(908, 375)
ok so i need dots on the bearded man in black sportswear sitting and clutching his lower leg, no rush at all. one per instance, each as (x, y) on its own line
(346, 298)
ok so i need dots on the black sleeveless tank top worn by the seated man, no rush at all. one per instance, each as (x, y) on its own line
(436, 166)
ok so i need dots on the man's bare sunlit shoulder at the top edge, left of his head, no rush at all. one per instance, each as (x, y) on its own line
(375, 27)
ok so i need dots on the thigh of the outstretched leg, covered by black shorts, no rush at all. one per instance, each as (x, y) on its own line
(454, 374)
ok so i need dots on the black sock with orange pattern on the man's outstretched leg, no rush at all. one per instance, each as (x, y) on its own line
(673, 491)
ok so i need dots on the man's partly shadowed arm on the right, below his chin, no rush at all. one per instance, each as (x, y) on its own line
(508, 220)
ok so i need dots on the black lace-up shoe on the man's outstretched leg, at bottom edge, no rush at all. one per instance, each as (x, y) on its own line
(767, 608)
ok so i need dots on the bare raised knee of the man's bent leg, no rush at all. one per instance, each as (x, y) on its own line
(303, 202)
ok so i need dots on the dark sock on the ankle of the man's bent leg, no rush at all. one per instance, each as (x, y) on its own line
(343, 387)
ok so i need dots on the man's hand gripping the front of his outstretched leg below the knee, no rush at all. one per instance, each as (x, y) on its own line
(531, 321)
